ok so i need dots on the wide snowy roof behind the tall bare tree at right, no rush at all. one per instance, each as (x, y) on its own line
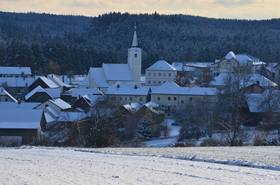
(253, 79)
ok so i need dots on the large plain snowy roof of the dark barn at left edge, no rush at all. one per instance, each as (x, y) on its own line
(20, 118)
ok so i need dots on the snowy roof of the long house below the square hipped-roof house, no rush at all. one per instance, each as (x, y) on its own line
(172, 88)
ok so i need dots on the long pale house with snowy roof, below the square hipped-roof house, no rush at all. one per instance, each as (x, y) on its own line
(172, 97)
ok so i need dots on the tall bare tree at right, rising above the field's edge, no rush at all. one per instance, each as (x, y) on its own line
(231, 106)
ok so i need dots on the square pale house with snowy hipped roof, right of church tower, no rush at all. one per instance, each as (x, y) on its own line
(159, 73)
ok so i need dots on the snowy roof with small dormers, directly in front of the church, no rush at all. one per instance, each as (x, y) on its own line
(127, 88)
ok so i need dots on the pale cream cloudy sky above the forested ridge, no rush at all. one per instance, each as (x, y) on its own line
(232, 9)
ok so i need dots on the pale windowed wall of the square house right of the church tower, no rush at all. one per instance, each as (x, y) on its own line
(159, 77)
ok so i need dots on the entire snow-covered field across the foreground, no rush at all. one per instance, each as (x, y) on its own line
(42, 165)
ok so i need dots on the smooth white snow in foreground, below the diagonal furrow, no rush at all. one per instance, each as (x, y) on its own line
(70, 166)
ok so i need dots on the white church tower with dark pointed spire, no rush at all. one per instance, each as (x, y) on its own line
(134, 59)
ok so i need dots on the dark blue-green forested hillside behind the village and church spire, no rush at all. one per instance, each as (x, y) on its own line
(77, 42)
